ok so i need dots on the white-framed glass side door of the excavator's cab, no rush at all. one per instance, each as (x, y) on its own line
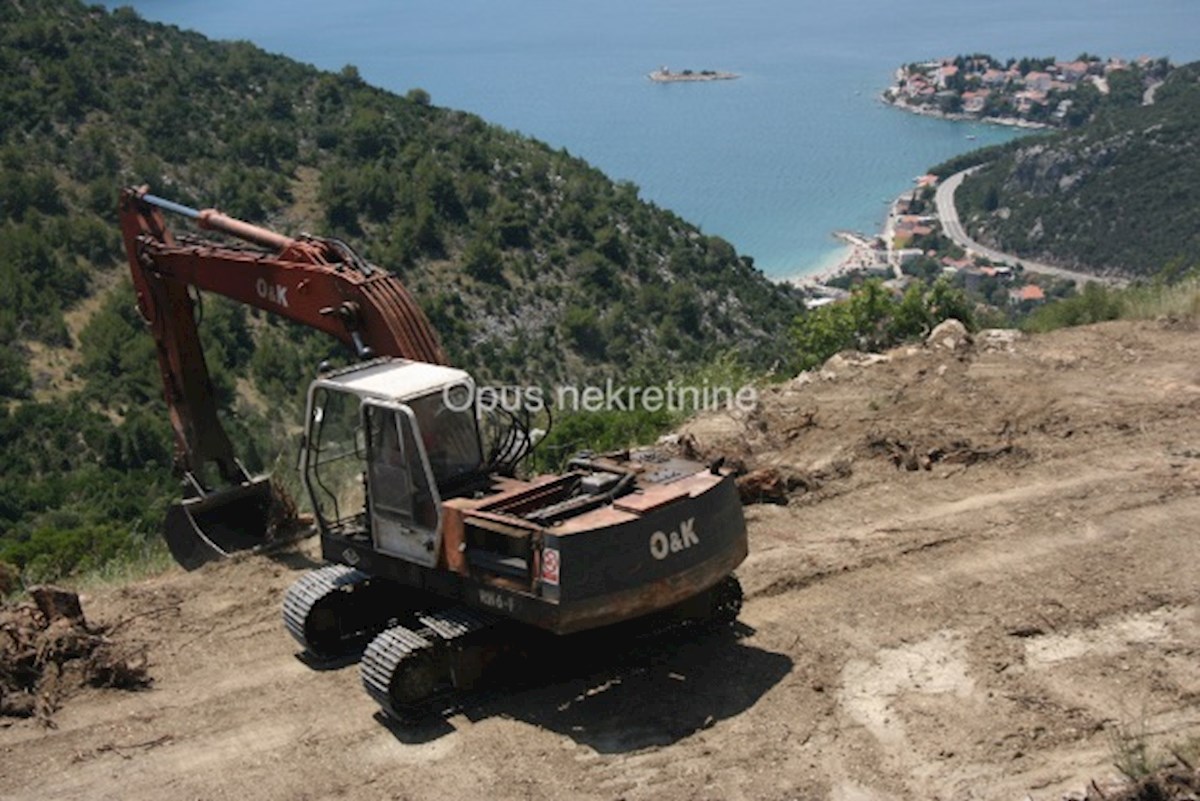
(403, 497)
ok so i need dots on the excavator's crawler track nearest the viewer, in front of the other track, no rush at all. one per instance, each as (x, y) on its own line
(388, 652)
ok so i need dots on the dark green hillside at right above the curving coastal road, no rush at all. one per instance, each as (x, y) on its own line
(1120, 195)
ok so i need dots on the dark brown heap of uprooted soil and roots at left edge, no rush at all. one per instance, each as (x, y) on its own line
(49, 651)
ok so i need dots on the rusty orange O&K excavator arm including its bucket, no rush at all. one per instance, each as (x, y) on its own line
(317, 282)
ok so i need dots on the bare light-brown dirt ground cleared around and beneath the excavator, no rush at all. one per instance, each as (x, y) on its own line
(985, 585)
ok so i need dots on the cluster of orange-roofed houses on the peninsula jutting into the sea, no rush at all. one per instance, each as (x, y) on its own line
(1027, 93)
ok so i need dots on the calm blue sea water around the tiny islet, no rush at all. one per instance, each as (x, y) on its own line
(776, 161)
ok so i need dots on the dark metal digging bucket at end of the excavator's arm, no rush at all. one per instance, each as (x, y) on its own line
(200, 531)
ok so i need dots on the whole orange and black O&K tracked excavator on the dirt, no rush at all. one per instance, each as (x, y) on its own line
(442, 561)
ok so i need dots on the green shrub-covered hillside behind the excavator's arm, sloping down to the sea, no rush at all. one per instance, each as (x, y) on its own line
(532, 266)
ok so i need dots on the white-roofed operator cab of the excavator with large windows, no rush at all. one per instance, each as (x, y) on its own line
(386, 442)
